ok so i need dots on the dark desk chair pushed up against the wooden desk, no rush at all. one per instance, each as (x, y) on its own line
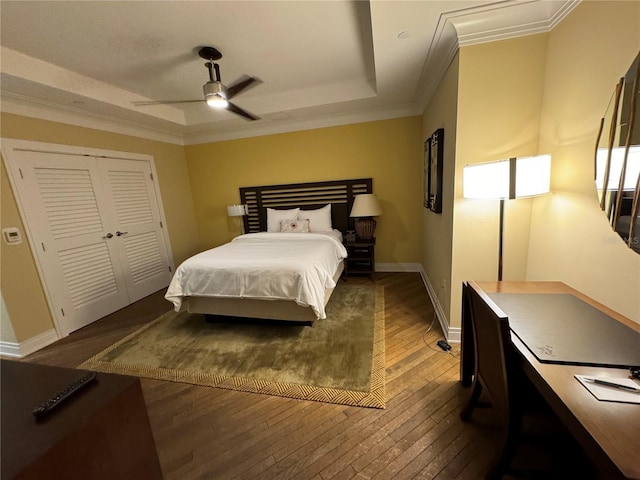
(497, 376)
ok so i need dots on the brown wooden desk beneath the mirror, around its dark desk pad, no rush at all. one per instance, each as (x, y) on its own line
(607, 431)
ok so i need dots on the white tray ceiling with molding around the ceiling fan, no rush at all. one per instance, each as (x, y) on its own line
(322, 63)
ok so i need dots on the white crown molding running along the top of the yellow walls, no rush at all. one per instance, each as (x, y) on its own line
(455, 29)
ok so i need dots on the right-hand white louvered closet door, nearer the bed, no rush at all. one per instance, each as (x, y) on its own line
(137, 226)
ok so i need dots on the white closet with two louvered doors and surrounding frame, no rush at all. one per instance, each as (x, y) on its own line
(95, 225)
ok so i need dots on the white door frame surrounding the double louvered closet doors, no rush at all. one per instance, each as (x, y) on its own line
(9, 146)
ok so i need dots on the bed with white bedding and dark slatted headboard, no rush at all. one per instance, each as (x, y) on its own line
(287, 264)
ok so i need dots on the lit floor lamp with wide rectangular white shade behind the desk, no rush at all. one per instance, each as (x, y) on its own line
(505, 180)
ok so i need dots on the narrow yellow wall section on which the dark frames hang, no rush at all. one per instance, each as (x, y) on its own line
(437, 247)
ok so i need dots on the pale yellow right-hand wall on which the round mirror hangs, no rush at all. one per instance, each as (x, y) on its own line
(571, 239)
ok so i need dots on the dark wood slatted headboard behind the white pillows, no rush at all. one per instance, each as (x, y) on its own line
(308, 196)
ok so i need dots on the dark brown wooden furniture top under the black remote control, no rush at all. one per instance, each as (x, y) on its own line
(102, 432)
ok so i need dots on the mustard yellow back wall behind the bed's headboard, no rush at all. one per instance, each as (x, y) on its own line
(389, 151)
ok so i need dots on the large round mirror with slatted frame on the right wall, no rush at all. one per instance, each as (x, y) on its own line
(617, 159)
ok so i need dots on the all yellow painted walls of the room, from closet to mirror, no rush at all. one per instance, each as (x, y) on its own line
(535, 94)
